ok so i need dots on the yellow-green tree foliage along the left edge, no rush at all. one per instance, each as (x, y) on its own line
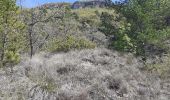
(11, 36)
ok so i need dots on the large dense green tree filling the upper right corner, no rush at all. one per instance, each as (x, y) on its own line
(147, 22)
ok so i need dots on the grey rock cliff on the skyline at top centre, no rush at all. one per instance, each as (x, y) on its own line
(89, 3)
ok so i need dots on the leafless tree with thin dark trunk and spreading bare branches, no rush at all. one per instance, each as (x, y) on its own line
(38, 16)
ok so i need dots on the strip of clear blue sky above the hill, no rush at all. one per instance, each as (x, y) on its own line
(33, 3)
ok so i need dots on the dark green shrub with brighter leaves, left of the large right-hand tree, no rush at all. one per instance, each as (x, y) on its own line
(117, 26)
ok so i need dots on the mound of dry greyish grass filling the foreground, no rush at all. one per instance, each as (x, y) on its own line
(98, 74)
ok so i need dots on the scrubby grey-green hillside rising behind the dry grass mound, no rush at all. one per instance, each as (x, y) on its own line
(62, 24)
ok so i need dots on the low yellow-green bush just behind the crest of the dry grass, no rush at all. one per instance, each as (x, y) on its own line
(69, 43)
